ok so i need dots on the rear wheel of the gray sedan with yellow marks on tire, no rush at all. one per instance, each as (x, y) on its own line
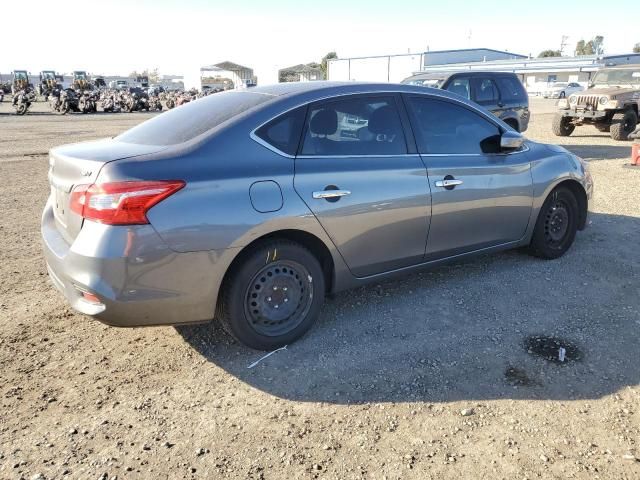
(266, 304)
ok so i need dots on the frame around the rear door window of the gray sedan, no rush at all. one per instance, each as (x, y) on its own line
(411, 149)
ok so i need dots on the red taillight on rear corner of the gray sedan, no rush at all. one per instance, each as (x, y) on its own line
(121, 203)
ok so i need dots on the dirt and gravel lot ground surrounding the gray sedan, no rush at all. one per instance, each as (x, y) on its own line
(432, 376)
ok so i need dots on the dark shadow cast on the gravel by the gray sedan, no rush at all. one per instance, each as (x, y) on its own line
(466, 331)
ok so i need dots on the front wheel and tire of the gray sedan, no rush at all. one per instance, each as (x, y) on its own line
(556, 226)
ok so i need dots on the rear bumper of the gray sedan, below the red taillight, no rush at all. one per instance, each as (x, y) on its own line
(136, 278)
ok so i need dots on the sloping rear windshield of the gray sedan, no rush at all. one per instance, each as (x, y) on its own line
(187, 121)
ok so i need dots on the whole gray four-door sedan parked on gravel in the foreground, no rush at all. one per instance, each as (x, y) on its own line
(249, 206)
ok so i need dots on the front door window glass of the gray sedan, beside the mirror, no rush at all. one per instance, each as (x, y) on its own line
(446, 128)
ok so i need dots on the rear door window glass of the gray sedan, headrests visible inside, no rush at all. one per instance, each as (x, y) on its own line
(354, 126)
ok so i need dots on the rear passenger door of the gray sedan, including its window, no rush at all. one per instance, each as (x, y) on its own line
(359, 176)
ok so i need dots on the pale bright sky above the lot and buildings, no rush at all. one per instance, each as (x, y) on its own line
(115, 37)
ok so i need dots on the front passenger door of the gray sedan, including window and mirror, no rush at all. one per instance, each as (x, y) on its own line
(480, 196)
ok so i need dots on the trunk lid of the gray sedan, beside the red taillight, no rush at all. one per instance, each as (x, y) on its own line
(80, 164)
